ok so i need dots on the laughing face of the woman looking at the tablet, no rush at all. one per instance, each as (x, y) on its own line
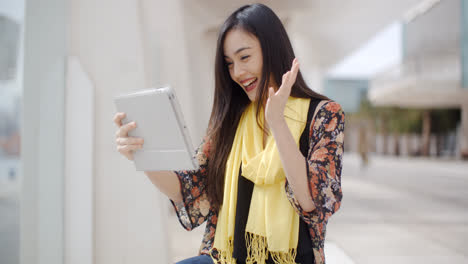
(243, 55)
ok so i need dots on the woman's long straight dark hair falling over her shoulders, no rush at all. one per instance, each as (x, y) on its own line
(230, 100)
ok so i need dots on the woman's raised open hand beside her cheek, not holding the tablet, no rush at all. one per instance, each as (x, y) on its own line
(274, 109)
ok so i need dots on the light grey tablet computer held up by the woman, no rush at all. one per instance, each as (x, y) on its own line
(160, 123)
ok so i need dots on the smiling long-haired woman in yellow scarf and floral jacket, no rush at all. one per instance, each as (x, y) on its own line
(270, 164)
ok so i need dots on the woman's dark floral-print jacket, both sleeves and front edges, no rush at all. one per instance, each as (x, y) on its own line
(323, 162)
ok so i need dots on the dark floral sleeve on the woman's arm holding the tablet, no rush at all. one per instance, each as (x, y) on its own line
(195, 206)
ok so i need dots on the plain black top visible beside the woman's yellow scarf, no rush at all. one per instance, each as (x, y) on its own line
(305, 254)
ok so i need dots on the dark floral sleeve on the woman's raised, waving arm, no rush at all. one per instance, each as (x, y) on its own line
(324, 164)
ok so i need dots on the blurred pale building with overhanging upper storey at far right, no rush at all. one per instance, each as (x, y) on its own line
(429, 83)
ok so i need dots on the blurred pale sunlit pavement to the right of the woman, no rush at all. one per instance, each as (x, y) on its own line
(403, 210)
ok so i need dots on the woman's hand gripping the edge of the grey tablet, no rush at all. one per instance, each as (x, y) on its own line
(126, 145)
